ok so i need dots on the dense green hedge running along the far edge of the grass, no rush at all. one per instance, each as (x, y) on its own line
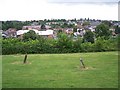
(62, 45)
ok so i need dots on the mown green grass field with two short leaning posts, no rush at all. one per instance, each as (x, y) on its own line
(61, 70)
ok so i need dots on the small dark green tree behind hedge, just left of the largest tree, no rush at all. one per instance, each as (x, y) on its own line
(89, 36)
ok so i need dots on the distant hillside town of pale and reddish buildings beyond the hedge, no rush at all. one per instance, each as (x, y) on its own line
(51, 28)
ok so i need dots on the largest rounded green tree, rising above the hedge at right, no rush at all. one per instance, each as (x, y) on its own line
(102, 30)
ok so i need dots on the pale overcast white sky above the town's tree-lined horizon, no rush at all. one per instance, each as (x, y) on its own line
(58, 9)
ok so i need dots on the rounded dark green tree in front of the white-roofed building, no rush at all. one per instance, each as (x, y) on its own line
(30, 35)
